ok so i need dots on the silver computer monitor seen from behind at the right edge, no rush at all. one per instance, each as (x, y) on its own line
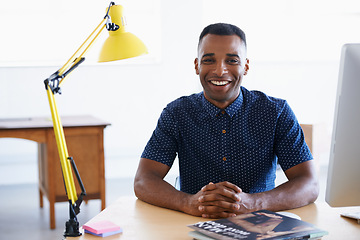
(343, 182)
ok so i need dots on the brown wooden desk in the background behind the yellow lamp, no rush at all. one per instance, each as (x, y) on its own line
(84, 138)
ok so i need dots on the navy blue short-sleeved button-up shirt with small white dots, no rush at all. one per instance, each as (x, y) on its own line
(241, 144)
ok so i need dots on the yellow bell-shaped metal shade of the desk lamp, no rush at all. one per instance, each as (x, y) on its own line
(120, 44)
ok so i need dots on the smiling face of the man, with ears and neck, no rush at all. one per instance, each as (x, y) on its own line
(221, 65)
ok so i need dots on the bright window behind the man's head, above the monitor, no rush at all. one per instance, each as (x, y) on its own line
(290, 30)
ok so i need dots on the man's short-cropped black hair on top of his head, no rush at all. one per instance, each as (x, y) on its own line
(223, 29)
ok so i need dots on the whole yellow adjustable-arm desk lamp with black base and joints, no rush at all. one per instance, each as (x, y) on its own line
(119, 45)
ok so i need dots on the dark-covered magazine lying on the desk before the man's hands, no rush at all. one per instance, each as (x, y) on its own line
(257, 225)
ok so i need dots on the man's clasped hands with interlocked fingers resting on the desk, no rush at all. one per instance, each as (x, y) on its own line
(220, 200)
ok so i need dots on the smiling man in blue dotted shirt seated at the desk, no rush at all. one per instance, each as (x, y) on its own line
(228, 140)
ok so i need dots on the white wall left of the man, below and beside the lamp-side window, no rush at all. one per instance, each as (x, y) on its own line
(129, 96)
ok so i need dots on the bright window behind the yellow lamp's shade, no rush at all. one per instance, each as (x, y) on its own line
(40, 33)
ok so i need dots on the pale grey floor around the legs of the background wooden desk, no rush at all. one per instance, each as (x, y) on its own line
(21, 215)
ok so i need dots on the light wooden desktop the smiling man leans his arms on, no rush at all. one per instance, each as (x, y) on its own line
(140, 220)
